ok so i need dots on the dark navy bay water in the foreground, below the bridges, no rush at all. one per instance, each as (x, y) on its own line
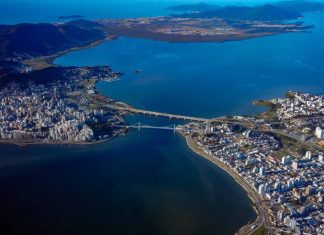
(146, 183)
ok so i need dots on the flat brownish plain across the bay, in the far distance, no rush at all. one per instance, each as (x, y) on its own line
(201, 29)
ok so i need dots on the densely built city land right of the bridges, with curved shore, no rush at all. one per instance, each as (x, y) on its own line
(279, 158)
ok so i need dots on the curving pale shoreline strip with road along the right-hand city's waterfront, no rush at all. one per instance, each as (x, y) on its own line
(258, 203)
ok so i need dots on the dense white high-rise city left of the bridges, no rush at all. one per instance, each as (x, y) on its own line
(63, 111)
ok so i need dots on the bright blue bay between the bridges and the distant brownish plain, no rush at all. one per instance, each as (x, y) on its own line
(210, 79)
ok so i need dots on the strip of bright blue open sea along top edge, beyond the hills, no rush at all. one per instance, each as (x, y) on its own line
(33, 11)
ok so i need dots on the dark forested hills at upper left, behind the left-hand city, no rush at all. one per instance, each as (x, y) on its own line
(20, 40)
